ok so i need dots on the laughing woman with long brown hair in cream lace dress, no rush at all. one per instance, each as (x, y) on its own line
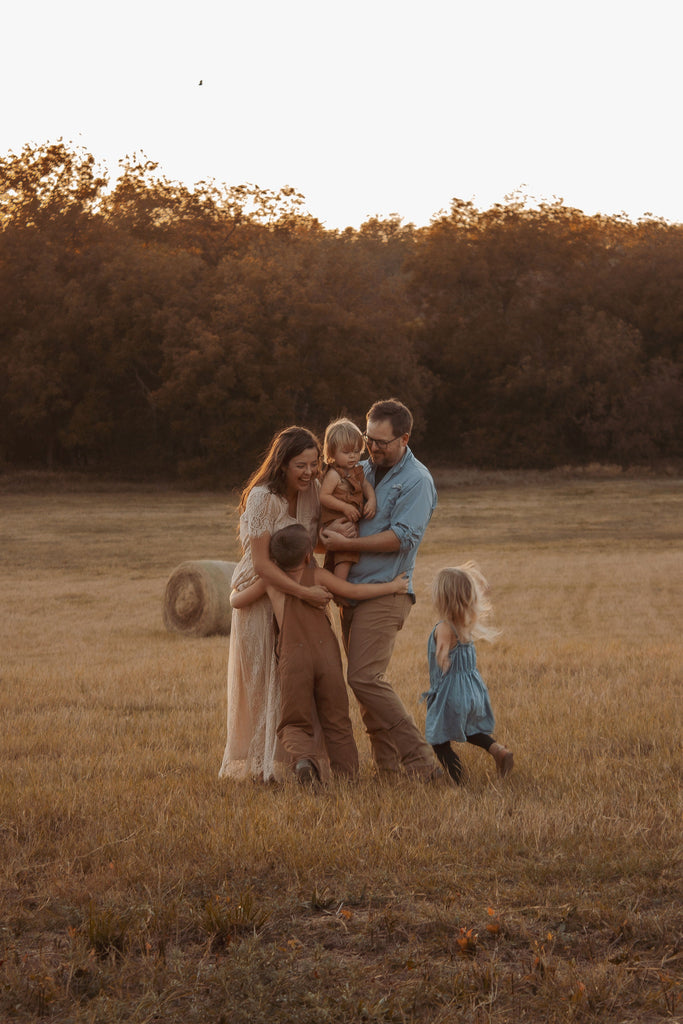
(283, 491)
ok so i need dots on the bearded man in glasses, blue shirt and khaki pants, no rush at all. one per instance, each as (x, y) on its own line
(389, 545)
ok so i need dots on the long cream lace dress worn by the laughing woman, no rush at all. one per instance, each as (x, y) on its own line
(253, 691)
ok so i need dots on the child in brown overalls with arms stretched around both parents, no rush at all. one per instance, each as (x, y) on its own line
(311, 672)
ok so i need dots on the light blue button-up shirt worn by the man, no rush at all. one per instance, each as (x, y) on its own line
(406, 501)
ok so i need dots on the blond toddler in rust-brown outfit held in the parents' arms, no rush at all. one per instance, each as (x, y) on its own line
(345, 492)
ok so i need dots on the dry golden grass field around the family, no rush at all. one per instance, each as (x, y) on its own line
(136, 886)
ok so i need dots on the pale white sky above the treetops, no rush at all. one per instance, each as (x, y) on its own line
(367, 107)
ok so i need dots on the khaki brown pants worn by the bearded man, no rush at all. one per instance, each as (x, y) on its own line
(370, 632)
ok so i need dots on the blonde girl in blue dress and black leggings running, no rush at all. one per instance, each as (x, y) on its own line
(458, 705)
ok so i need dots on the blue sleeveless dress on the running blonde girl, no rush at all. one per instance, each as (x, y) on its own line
(458, 704)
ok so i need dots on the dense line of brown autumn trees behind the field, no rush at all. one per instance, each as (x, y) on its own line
(148, 328)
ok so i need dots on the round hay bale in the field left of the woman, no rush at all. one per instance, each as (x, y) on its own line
(197, 602)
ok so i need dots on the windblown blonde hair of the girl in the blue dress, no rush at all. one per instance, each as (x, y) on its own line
(461, 595)
